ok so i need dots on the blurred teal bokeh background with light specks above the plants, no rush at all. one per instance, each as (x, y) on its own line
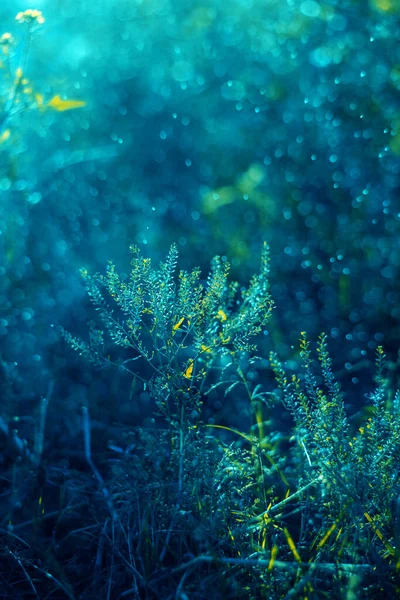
(215, 125)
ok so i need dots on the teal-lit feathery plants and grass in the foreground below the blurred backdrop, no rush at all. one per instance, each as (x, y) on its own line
(177, 511)
